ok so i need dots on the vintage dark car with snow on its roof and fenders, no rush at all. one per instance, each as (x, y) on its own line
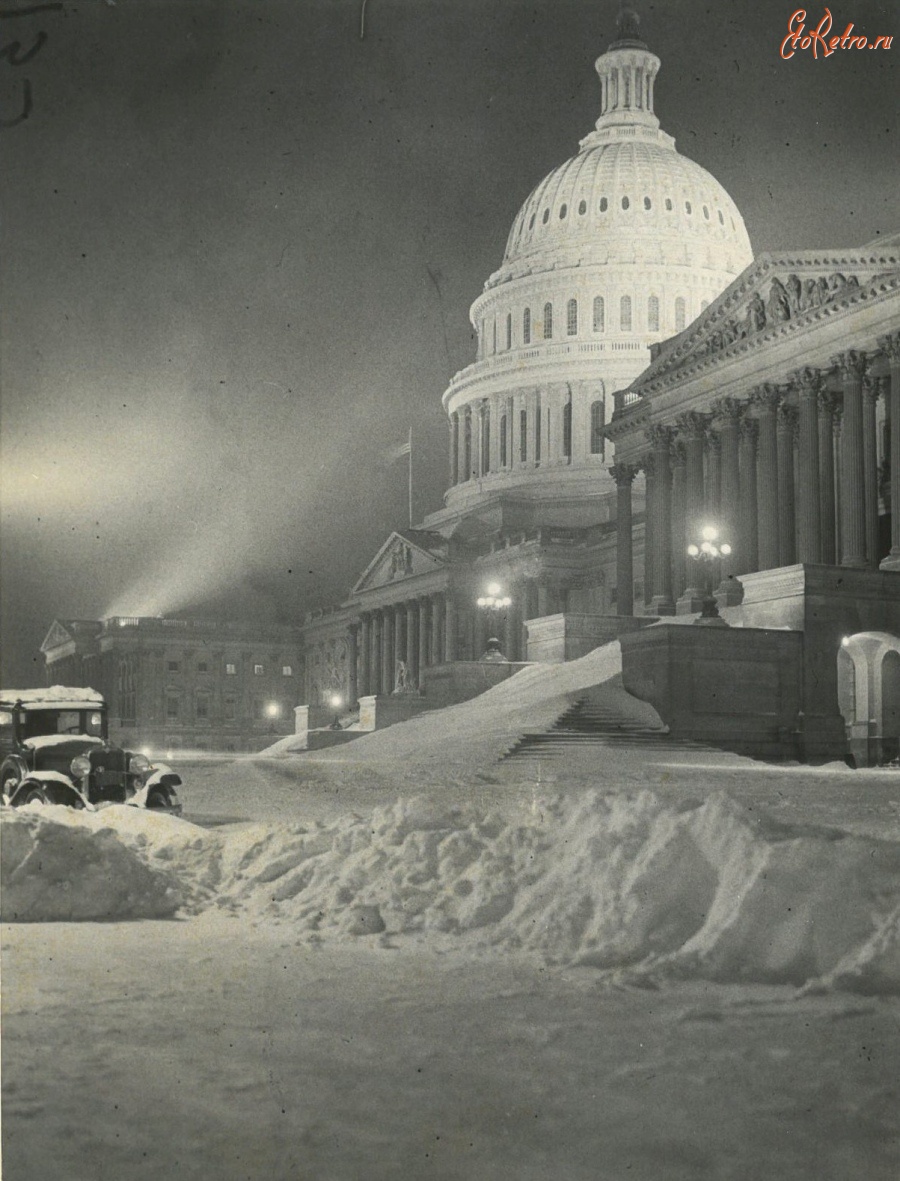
(56, 751)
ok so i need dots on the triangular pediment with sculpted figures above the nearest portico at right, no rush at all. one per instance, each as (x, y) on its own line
(775, 292)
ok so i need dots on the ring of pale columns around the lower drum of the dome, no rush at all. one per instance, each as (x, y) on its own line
(525, 429)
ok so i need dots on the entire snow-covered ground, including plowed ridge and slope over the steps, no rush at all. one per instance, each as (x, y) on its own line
(405, 960)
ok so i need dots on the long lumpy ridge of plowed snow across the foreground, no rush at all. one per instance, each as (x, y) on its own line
(622, 883)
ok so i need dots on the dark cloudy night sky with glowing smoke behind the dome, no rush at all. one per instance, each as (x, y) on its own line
(240, 246)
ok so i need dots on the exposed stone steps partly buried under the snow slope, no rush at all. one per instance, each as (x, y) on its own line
(590, 726)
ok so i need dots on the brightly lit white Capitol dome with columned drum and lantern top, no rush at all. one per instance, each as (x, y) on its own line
(619, 247)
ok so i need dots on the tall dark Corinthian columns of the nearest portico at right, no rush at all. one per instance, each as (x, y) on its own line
(790, 475)
